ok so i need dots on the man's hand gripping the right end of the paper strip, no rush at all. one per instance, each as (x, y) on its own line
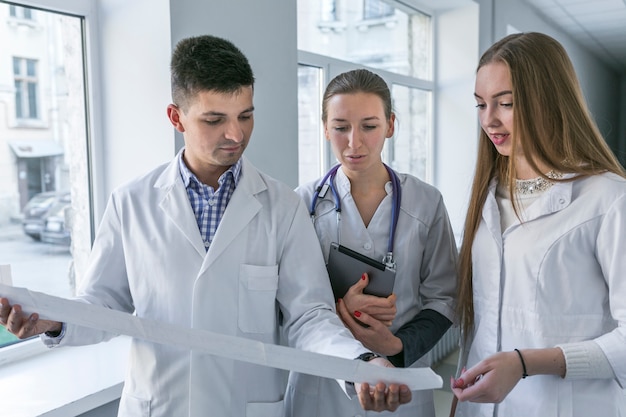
(382, 397)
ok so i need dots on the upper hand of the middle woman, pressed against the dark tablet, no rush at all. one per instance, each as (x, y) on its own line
(380, 308)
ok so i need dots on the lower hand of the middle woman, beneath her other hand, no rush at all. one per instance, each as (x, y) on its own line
(375, 335)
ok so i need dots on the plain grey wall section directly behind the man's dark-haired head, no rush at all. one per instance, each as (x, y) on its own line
(265, 31)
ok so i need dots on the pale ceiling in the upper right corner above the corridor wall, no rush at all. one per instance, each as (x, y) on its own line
(599, 25)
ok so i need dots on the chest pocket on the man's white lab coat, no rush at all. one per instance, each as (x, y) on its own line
(257, 298)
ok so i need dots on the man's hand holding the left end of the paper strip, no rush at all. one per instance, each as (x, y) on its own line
(23, 326)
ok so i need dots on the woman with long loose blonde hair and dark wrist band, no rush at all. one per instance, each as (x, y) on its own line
(542, 293)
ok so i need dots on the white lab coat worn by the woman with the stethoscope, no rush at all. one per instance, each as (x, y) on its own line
(425, 253)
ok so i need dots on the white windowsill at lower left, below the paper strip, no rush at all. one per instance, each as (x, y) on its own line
(64, 381)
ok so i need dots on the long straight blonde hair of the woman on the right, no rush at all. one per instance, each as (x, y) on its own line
(551, 117)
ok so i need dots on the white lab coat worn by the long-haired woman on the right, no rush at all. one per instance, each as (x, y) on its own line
(565, 272)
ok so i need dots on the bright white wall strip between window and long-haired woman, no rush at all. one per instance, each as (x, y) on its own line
(455, 110)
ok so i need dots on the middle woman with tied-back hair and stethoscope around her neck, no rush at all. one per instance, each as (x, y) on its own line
(357, 205)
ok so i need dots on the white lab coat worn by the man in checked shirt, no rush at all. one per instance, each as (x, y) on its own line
(263, 268)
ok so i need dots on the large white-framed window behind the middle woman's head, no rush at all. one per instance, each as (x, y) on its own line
(390, 39)
